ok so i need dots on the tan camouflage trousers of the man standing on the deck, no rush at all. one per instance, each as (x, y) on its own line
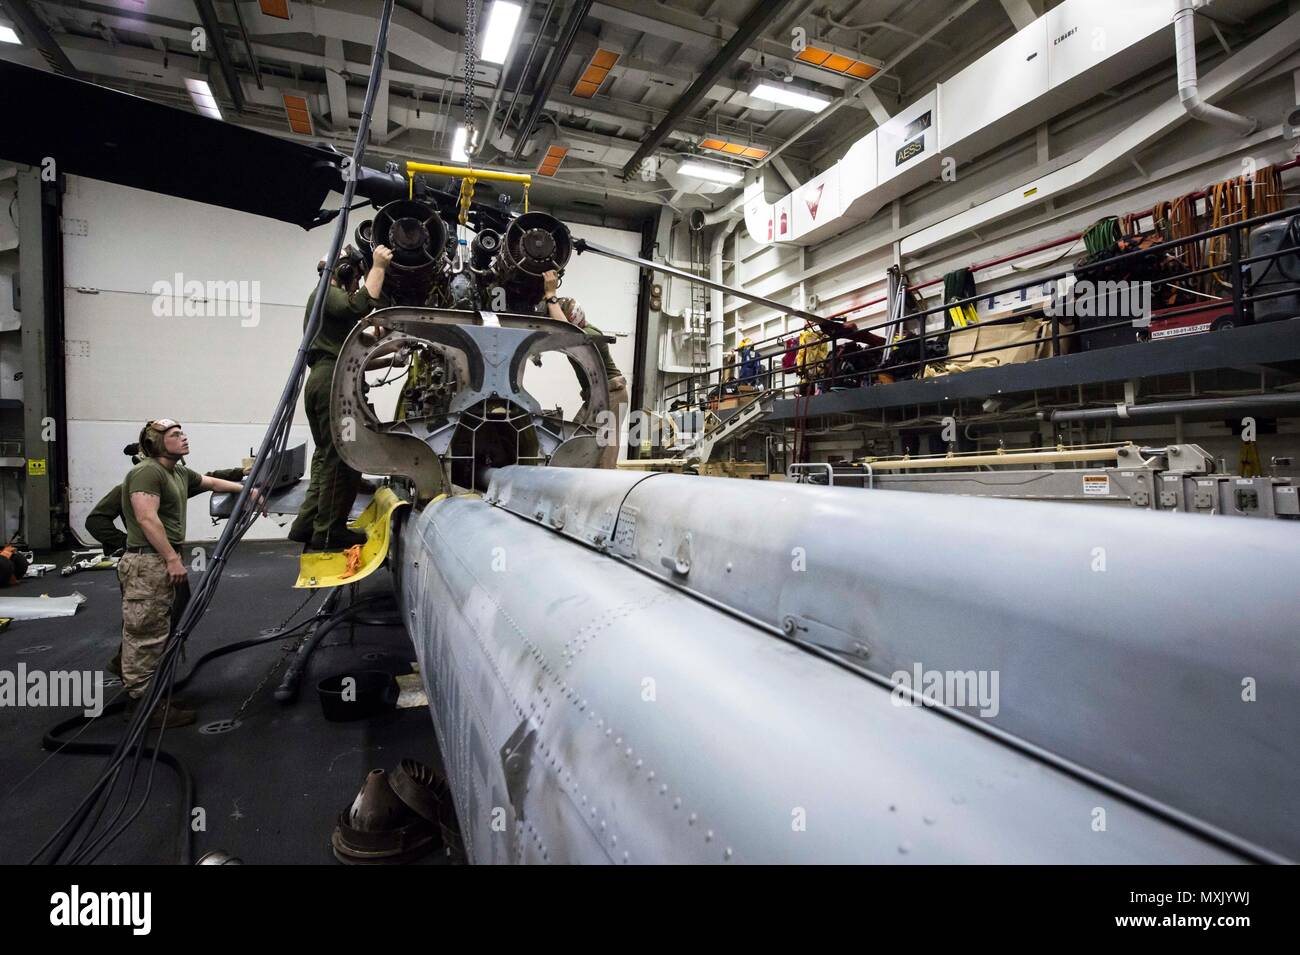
(150, 606)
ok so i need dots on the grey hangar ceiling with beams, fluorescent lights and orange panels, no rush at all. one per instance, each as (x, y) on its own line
(323, 53)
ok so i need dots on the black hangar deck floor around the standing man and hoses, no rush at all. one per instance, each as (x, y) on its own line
(272, 789)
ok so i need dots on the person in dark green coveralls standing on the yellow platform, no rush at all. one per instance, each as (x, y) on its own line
(322, 522)
